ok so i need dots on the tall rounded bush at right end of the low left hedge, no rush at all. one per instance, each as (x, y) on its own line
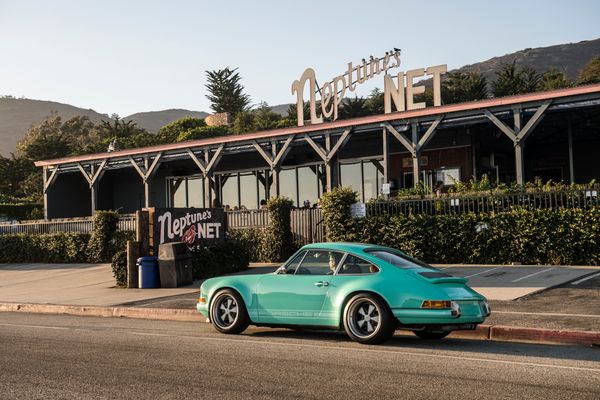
(101, 246)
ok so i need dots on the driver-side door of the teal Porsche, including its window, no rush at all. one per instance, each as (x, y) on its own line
(296, 294)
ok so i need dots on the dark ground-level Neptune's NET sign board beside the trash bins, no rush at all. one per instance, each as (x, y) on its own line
(202, 226)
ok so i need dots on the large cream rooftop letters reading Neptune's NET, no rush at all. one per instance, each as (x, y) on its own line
(400, 94)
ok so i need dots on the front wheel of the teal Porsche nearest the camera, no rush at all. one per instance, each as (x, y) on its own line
(228, 312)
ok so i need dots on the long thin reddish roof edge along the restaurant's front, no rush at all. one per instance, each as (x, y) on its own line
(336, 125)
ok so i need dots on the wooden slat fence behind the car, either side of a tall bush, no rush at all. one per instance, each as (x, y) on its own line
(306, 223)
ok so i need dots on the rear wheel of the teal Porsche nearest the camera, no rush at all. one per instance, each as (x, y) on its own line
(367, 319)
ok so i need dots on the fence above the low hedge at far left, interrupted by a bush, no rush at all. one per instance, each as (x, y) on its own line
(75, 225)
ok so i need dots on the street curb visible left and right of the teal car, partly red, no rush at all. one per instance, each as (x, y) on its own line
(498, 333)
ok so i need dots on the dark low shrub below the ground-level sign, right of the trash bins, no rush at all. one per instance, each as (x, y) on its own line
(222, 259)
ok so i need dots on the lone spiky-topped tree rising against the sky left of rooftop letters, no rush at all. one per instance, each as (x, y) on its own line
(226, 93)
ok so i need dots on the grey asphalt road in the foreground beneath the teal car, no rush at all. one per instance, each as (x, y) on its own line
(66, 357)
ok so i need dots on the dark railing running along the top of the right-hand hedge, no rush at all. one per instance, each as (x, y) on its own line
(487, 203)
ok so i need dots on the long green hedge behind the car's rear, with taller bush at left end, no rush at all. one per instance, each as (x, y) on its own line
(528, 236)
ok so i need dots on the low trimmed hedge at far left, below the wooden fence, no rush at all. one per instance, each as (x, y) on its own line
(44, 248)
